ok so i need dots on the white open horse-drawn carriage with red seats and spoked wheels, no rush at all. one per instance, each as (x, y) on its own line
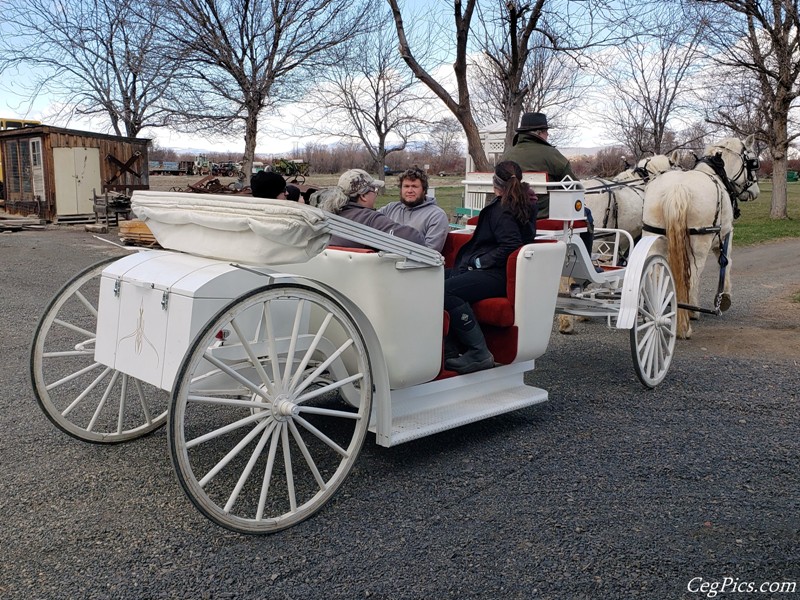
(271, 356)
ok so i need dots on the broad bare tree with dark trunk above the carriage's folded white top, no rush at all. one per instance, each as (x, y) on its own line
(247, 57)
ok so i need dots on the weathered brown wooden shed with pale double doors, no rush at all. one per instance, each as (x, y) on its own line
(51, 172)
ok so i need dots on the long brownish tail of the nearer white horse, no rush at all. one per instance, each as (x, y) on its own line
(675, 205)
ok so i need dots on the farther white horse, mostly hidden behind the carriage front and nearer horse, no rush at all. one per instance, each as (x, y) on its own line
(616, 203)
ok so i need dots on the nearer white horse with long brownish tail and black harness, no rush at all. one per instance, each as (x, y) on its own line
(695, 210)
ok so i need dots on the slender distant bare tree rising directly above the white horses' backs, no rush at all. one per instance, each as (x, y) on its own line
(651, 77)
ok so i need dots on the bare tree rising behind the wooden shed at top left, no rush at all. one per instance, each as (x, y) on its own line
(99, 57)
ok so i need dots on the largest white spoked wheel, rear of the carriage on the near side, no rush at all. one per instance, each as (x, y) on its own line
(270, 408)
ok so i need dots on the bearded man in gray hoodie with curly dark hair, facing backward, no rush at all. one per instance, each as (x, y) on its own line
(417, 210)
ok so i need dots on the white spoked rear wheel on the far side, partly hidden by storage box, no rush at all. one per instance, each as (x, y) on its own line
(82, 397)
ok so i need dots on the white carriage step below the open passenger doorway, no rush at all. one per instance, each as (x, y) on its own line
(447, 403)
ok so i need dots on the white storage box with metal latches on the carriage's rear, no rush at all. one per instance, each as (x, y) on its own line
(152, 304)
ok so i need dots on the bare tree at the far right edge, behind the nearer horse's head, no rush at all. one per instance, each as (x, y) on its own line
(760, 40)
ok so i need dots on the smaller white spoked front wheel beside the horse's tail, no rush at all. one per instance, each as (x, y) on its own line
(653, 335)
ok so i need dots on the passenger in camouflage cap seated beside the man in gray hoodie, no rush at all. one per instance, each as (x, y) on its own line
(354, 198)
